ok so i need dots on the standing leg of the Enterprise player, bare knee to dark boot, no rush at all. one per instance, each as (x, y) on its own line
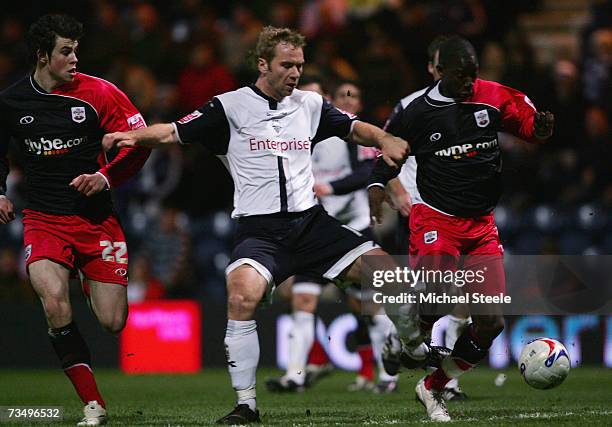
(245, 289)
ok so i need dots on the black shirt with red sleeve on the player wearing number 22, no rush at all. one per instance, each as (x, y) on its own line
(59, 136)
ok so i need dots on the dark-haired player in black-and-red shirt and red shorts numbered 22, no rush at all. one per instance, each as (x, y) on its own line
(58, 116)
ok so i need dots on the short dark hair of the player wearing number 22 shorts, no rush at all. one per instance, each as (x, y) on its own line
(44, 32)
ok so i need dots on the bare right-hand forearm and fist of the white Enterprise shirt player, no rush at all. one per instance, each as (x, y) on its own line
(394, 150)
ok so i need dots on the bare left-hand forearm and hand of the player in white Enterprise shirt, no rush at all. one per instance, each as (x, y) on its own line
(155, 136)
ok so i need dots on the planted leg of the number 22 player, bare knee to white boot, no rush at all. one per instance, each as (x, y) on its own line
(51, 282)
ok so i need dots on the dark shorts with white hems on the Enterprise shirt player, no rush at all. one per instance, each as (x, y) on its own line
(310, 243)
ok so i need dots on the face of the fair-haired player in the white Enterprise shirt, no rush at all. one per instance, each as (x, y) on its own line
(282, 74)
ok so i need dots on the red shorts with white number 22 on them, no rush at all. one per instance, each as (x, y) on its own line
(96, 248)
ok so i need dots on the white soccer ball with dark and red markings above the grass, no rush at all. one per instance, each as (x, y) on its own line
(544, 363)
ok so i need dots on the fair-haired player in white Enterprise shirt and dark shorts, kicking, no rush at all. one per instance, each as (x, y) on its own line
(264, 134)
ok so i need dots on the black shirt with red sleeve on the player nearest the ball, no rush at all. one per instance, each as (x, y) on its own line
(456, 146)
